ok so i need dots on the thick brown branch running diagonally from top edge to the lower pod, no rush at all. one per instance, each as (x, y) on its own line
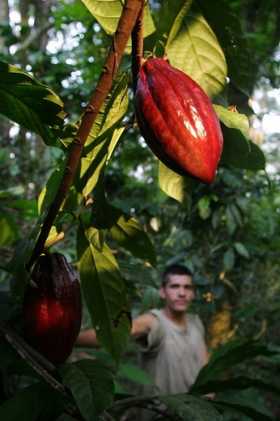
(125, 26)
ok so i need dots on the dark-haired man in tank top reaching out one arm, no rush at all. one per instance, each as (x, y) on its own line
(173, 348)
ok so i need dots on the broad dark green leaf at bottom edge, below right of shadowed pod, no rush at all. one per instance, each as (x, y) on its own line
(91, 384)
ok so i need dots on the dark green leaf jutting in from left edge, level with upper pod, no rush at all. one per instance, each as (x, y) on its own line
(29, 103)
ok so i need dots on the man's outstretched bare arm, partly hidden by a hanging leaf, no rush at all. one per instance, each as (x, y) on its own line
(141, 326)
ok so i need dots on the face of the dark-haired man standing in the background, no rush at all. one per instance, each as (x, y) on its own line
(178, 292)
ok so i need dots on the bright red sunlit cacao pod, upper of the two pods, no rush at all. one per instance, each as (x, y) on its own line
(177, 120)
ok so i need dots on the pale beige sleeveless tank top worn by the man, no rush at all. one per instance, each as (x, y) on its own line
(173, 356)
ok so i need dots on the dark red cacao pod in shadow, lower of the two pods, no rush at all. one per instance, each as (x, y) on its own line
(52, 308)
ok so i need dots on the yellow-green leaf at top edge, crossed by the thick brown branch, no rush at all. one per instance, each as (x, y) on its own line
(108, 12)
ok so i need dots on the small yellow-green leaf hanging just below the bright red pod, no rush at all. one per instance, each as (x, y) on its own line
(171, 183)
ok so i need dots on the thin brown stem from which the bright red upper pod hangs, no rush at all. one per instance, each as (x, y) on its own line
(137, 46)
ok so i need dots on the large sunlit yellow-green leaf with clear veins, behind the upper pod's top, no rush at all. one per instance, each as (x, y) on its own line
(193, 47)
